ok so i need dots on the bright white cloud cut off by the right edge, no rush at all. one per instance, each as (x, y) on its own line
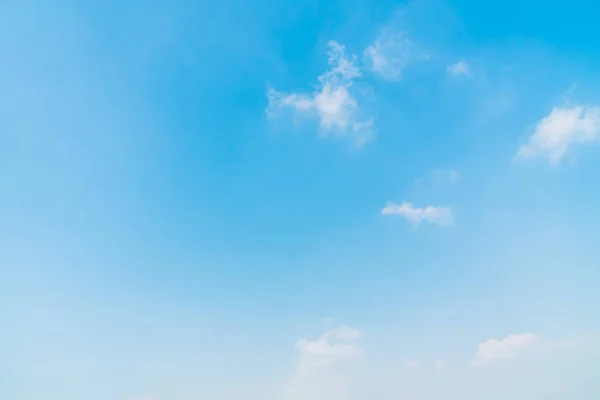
(561, 129)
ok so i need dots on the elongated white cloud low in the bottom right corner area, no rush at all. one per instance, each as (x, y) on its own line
(503, 349)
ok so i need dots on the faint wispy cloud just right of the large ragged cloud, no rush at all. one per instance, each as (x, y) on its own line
(389, 55)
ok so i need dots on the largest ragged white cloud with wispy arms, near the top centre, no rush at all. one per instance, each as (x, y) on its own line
(332, 102)
